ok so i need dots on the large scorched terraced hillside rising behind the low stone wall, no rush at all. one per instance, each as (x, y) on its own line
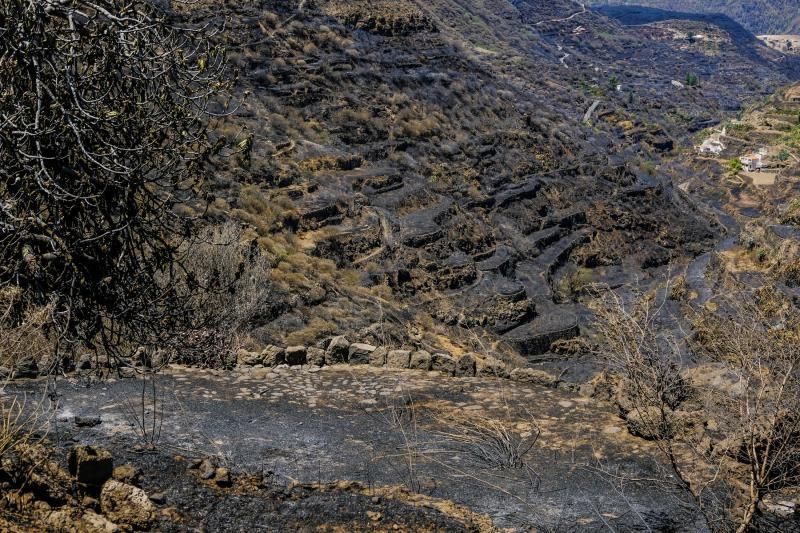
(465, 169)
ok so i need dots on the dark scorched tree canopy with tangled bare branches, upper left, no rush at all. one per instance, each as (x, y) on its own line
(102, 132)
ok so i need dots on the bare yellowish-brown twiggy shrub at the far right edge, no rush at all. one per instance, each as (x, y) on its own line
(759, 341)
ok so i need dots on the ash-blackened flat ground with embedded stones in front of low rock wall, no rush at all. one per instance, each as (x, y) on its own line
(382, 427)
